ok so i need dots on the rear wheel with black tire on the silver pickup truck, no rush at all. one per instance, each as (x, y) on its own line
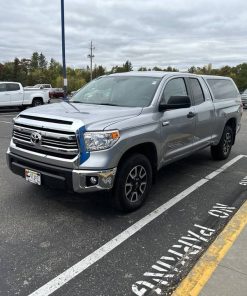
(223, 149)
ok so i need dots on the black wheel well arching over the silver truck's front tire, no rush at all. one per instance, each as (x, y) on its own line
(149, 150)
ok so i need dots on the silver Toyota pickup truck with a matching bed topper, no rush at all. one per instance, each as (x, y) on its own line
(120, 129)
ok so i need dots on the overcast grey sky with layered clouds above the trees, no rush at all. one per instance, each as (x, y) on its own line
(179, 33)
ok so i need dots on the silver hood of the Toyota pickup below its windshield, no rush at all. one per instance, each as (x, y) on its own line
(93, 117)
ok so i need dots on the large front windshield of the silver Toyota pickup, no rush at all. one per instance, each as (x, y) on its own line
(124, 91)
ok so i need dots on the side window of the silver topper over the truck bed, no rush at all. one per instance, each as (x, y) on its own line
(222, 88)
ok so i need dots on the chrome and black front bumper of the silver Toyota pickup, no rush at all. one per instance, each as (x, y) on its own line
(63, 178)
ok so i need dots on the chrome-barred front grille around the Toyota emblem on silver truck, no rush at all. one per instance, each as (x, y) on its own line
(62, 144)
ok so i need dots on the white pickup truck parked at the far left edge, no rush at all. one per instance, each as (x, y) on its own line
(13, 94)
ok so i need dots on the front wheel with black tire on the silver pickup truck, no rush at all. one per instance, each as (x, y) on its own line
(133, 183)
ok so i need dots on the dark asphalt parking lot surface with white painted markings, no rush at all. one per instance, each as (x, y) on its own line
(70, 244)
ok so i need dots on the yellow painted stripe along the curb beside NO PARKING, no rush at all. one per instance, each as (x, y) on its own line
(202, 271)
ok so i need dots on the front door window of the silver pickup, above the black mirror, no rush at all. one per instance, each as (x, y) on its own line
(175, 87)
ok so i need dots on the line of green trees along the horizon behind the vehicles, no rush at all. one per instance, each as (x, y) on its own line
(36, 70)
